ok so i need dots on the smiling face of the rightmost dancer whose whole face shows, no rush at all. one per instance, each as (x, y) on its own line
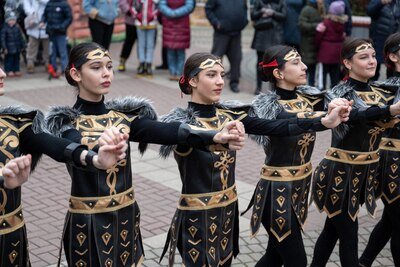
(362, 66)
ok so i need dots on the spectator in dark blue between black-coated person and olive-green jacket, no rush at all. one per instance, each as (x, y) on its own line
(291, 33)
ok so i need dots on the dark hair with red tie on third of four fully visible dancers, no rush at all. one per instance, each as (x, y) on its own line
(276, 52)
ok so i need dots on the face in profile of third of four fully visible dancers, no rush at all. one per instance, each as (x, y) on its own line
(294, 73)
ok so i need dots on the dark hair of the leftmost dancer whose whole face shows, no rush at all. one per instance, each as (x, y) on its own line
(77, 57)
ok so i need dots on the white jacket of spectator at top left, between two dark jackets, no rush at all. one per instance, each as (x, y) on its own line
(36, 8)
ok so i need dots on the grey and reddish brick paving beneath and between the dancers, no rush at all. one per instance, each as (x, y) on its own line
(45, 196)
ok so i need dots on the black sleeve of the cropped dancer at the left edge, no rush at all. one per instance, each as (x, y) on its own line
(47, 144)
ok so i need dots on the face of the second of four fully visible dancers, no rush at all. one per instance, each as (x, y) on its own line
(207, 85)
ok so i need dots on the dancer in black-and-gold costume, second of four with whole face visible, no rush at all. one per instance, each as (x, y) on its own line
(205, 225)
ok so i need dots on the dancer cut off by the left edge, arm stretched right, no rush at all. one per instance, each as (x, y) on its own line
(21, 133)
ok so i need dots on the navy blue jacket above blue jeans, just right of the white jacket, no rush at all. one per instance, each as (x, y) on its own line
(57, 15)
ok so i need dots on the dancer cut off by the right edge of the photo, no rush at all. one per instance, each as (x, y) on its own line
(387, 228)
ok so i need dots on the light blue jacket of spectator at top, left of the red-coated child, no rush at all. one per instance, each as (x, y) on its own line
(105, 11)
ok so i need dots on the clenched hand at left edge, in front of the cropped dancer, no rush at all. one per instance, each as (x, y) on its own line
(16, 171)
